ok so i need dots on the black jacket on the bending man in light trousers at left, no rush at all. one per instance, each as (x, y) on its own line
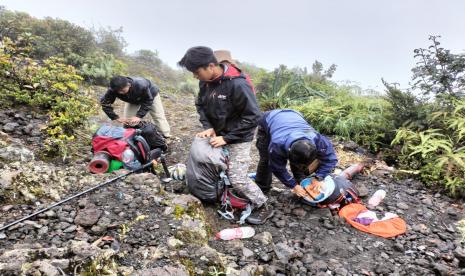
(142, 92)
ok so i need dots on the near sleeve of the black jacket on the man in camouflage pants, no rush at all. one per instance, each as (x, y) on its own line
(244, 101)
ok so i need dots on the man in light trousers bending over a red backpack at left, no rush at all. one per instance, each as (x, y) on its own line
(141, 97)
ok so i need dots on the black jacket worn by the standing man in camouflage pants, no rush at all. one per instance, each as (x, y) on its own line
(228, 105)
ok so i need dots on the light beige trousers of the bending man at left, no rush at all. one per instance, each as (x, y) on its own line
(157, 112)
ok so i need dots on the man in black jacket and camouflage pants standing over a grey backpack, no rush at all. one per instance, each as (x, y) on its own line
(229, 114)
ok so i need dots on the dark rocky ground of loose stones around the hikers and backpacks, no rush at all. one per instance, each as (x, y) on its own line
(139, 226)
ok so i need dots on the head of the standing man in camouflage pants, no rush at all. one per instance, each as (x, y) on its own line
(201, 62)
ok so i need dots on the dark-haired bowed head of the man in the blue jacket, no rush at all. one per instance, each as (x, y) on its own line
(303, 153)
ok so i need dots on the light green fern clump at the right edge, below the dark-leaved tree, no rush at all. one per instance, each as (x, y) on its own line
(437, 154)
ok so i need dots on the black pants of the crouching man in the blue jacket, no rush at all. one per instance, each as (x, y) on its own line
(264, 174)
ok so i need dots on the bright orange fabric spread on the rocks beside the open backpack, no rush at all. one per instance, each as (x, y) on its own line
(386, 228)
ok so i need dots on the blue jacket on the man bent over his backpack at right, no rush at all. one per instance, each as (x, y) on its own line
(286, 126)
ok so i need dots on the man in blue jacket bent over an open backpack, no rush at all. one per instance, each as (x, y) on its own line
(283, 134)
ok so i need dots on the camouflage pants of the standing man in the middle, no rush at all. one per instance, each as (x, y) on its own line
(239, 160)
